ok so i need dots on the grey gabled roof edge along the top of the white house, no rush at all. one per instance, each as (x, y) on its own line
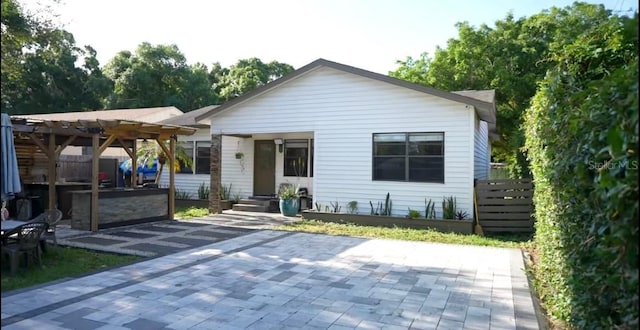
(478, 99)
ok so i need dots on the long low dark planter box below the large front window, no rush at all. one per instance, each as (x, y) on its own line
(441, 225)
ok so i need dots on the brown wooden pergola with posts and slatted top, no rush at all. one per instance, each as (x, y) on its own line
(50, 137)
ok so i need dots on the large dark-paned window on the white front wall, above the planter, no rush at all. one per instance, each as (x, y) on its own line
(414, 157)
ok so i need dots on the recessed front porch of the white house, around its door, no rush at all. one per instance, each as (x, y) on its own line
(256, 165)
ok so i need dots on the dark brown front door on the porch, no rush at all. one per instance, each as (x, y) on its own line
(264, 168)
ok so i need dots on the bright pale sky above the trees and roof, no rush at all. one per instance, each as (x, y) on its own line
(368, 34)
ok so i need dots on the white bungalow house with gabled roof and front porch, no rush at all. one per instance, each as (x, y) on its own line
(347, 134)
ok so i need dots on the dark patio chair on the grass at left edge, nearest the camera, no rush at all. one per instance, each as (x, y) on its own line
(26, 242)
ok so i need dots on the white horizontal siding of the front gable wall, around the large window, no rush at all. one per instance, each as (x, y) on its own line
(343, 111)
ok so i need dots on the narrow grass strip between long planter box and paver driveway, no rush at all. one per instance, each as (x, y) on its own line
(312, 226)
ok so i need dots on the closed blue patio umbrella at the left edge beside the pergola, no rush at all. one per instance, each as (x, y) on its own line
(10, 174)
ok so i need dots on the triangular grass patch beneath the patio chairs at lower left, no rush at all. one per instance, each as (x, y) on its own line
(60, 263)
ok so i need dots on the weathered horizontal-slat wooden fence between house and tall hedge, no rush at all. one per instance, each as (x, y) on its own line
(505, 205)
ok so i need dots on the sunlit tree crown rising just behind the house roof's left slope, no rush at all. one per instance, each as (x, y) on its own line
(248, 74)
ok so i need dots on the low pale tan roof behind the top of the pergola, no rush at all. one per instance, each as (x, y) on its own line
(139, 114)
